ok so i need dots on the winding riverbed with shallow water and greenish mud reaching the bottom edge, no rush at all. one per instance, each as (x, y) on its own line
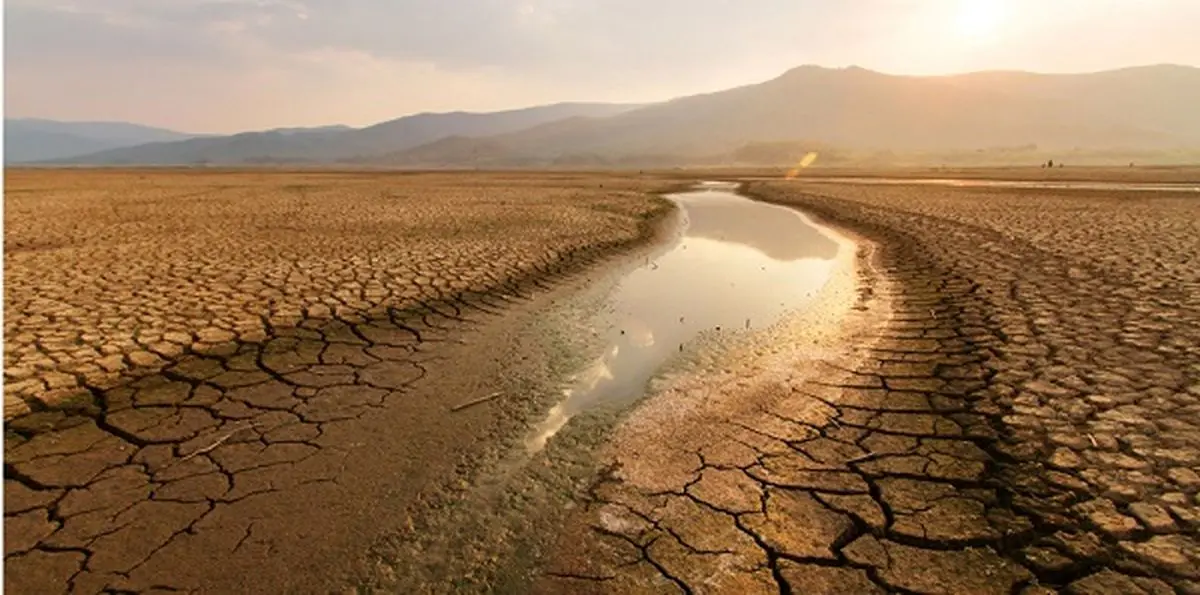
(739, 281)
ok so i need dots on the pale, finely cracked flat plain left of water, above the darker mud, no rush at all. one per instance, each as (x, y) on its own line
(111, 275)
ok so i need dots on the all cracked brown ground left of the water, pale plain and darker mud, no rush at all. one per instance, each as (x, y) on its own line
(229, 381)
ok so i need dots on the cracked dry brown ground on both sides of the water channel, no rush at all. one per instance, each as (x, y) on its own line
(236, 382)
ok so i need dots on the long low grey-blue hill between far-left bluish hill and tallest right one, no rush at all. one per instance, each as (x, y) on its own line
(335, 145)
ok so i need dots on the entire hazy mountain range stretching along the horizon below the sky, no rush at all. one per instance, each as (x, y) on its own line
(1149, 109)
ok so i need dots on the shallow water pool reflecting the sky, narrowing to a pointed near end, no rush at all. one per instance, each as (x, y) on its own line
(739, 265)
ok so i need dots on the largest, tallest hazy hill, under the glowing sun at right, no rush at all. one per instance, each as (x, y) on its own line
(1143, 109)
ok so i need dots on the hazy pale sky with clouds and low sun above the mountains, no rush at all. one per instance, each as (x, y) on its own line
(233, 65)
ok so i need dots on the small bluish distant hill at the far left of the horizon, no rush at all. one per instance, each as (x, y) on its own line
(35, 140)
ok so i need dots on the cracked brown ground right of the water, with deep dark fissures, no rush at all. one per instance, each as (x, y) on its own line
(1016, 408)
